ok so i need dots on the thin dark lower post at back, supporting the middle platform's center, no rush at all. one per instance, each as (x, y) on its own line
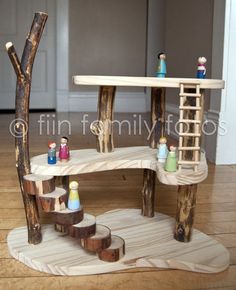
(148, 192)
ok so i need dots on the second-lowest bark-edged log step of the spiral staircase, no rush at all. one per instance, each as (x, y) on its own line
(100, 241)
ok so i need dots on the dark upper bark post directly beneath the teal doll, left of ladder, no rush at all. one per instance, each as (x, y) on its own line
(158, 96)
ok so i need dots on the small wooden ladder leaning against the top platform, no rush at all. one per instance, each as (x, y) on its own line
(196, 123)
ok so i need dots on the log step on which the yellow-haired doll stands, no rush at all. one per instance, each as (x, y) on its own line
(68, 217)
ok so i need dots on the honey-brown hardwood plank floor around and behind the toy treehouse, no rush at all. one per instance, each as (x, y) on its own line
(100, 192)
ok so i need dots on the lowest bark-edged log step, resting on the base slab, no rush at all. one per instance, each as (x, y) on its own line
(115, 252)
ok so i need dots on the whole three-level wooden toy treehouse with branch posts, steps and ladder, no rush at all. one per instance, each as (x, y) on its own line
(151, 239)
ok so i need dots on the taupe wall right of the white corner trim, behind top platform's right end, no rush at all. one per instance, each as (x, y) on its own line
(189, 25)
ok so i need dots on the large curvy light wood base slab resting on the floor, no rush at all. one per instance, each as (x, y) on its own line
(149, 243)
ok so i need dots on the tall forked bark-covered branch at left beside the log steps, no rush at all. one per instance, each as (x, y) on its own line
(23, 72)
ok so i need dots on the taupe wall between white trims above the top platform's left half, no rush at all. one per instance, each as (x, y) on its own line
(107, 37)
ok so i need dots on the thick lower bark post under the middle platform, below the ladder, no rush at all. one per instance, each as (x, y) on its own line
(186, 202)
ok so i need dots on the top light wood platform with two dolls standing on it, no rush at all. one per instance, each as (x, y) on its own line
(146, 81)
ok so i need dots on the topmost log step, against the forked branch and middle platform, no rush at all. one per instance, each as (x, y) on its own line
(35, 184)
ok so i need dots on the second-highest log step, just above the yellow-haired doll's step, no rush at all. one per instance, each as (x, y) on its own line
(54, 201)
